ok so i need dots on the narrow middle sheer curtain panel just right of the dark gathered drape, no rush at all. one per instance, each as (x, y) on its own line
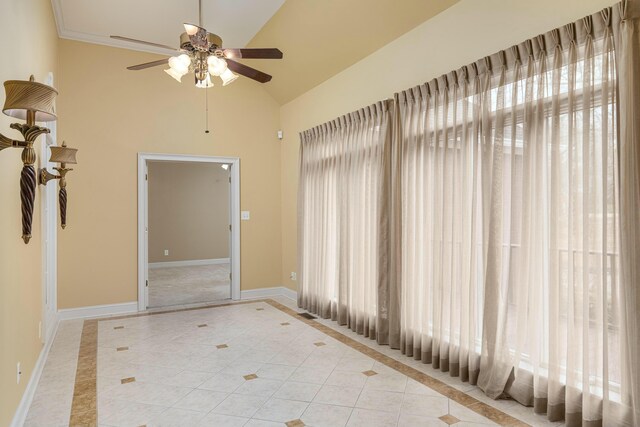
(441, 241)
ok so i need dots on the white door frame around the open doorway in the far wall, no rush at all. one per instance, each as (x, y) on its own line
(143, 219)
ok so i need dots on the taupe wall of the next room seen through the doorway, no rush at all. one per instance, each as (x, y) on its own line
(188, 211)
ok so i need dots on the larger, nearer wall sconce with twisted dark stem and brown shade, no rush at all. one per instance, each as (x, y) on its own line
(33, 102)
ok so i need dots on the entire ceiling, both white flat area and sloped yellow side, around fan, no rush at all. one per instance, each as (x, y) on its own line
(319, 38)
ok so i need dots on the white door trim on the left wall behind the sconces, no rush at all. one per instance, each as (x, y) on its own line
(49, 230)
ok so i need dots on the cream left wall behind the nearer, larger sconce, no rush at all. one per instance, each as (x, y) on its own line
(28, 45)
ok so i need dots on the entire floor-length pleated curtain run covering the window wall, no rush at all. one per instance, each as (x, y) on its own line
(486, 222)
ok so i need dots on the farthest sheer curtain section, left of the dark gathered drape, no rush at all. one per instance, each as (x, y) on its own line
(340, 188)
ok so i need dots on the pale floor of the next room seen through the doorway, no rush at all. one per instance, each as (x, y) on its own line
(169, 286)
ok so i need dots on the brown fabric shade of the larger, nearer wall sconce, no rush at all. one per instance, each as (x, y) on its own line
(24, 95)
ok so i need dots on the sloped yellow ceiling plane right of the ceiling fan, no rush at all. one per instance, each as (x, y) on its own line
(321, 38)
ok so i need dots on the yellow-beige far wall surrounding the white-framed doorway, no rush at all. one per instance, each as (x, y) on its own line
(111, 114)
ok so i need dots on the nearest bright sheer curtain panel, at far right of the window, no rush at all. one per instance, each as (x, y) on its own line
(552, 263)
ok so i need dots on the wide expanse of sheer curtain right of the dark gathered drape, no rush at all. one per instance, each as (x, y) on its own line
(510, 225)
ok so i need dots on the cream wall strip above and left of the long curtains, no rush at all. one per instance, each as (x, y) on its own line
(465, 32)
